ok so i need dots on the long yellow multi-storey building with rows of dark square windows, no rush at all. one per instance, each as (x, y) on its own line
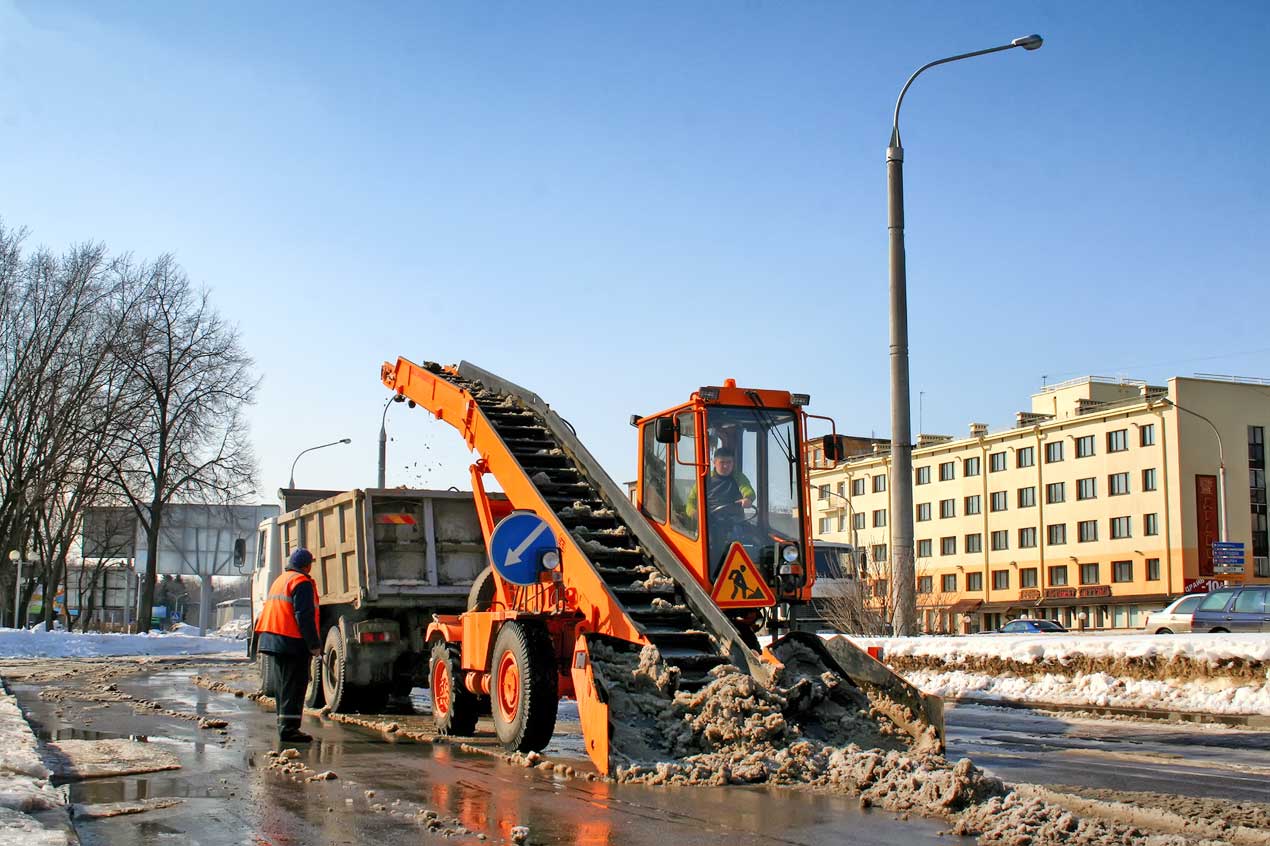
(1097, 509)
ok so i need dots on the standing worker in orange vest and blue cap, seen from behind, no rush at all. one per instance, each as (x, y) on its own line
(288, 633)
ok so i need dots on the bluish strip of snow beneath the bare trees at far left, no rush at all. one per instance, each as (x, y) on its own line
(20, 643)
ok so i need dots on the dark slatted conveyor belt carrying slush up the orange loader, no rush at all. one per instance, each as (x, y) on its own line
(671, 610)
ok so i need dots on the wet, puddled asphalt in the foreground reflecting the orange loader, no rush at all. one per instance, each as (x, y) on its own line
(228, 796)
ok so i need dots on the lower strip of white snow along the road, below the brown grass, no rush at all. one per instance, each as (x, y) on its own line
(1201, 695)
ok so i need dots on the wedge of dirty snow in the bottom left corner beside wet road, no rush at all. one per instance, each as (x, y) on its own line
(32, 811)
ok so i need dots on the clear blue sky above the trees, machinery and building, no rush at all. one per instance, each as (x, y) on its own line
(615, 204)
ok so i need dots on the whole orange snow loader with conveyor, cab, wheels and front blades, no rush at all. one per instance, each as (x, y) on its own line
(695, 563)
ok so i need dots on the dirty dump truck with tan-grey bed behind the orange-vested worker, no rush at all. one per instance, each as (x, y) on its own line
(385, 562)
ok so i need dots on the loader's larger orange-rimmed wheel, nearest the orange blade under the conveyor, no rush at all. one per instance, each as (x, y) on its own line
(524, 688)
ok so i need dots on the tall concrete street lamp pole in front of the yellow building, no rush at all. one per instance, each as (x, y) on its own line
(901, 411)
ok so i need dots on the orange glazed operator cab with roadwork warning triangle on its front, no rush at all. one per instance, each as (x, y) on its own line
(723, 480)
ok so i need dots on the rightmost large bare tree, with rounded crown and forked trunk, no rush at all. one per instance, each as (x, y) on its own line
(194, 382)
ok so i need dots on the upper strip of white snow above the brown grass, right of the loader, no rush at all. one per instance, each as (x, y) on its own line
(1212, 650)
